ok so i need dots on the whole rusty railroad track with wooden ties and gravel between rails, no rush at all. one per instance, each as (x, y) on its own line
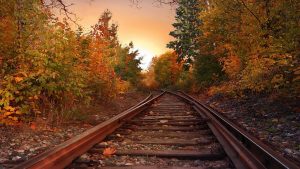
(171, 130)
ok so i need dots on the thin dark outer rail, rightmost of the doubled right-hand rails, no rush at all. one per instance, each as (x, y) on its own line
(267, 156)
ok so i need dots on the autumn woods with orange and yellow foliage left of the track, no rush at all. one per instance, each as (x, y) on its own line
(46, 65)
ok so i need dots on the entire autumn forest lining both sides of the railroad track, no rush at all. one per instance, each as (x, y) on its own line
(220, 46)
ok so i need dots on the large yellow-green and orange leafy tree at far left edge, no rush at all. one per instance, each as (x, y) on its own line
(40, 62)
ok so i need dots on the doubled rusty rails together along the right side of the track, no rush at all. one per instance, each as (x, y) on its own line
(244, 142)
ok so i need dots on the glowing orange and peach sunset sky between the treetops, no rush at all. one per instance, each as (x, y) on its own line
(147, 25)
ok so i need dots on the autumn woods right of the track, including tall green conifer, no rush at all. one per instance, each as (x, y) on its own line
(234, 47)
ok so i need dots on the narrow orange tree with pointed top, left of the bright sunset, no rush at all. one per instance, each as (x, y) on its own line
(103, 56)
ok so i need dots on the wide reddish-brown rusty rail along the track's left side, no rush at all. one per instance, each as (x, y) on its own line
(63, 154)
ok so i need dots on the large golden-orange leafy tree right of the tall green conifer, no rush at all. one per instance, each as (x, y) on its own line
(262, 55)
